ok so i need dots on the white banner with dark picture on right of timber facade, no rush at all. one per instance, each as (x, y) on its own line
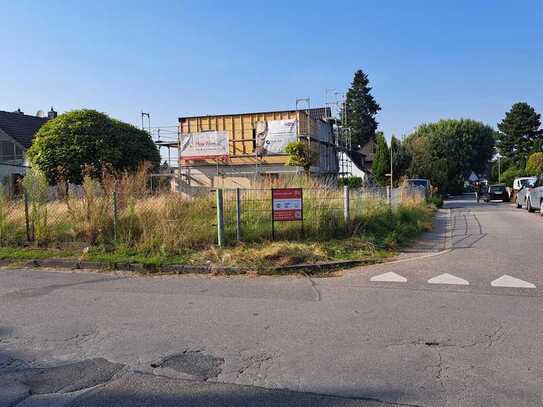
(273, 136)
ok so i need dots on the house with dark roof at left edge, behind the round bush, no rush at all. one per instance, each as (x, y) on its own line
(16, 133)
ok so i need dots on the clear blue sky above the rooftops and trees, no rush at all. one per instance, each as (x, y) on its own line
(426, 59)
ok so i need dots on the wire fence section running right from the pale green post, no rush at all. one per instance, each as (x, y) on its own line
(246, 214)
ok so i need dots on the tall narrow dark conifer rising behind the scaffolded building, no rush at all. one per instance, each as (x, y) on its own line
(360, 110)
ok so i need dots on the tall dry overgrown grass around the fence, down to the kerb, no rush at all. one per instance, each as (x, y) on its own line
(172, 228)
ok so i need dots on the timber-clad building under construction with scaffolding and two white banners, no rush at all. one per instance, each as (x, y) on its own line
(237, 150)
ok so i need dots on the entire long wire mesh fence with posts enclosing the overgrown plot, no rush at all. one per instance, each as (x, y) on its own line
(173, 223)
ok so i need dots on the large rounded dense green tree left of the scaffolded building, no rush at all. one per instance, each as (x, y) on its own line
(80, 139)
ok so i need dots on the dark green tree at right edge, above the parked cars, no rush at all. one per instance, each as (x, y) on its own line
(517, 136)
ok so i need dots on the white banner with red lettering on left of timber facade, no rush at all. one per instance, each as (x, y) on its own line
(204, 145)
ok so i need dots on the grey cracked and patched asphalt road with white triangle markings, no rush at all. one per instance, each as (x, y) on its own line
(456, 321)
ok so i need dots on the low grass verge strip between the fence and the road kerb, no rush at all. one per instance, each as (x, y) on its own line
(378, 235)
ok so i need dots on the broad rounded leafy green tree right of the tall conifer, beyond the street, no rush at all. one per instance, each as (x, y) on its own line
(446, 151)
